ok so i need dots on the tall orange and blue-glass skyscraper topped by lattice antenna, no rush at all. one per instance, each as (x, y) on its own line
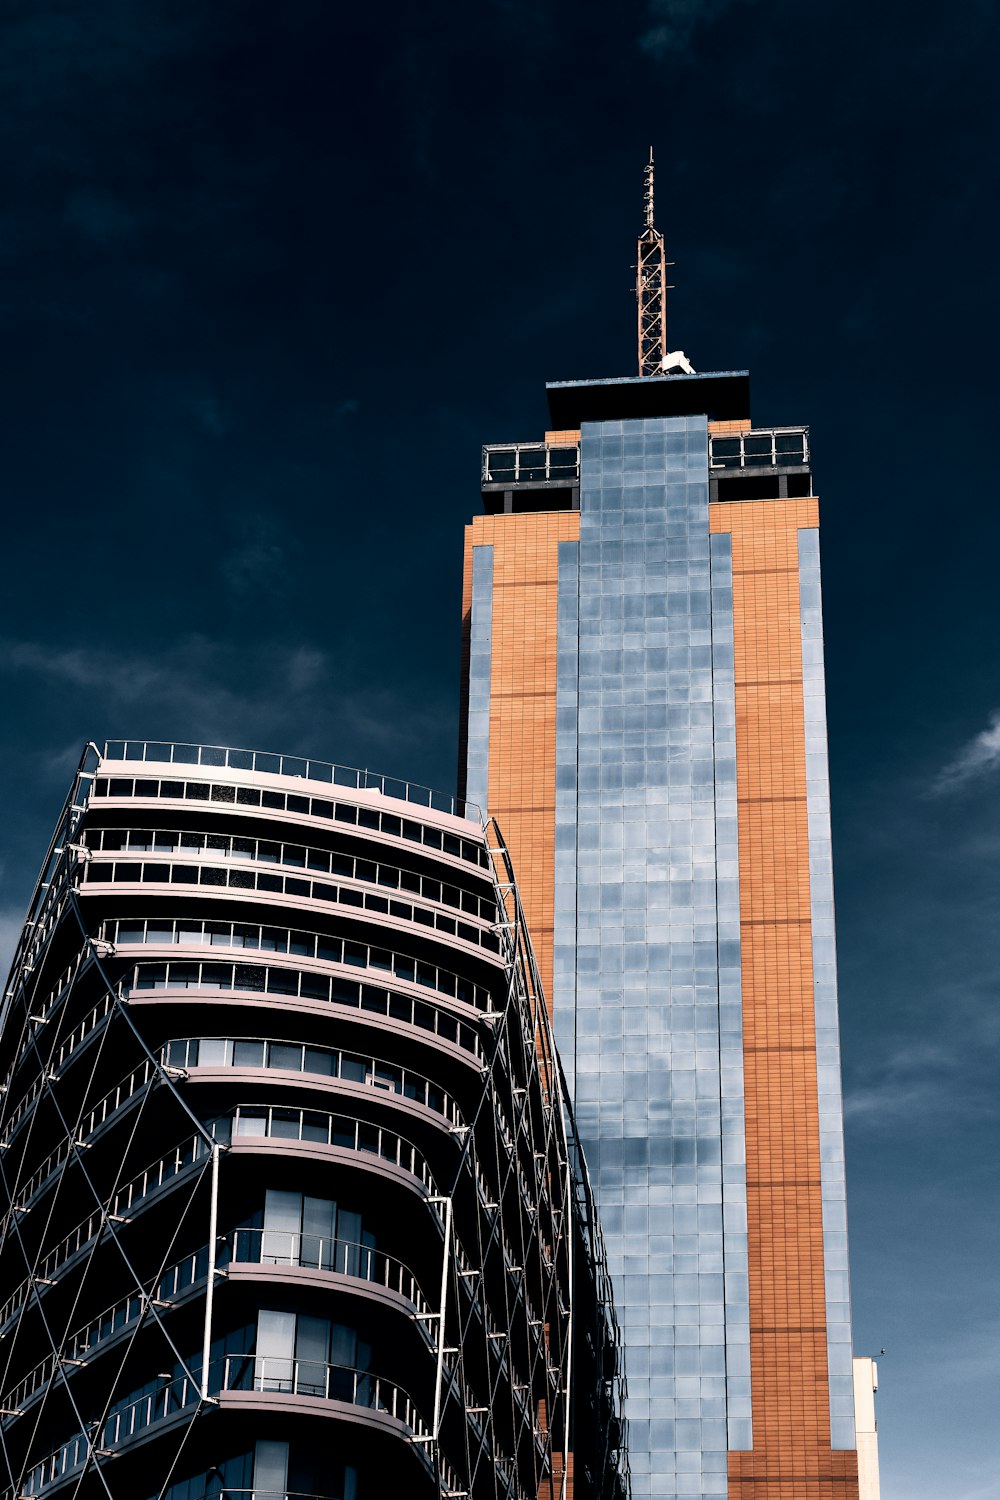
(645, 718)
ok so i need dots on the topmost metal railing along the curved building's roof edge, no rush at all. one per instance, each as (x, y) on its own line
(172, 752)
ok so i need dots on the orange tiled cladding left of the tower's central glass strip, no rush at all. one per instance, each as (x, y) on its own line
(522, 764)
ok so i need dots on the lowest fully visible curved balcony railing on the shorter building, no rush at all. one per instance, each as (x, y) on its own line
(266, 1375)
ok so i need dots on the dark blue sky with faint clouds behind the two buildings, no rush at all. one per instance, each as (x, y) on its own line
(272, 274)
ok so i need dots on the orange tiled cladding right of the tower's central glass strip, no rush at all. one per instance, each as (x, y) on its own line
(792, 1456)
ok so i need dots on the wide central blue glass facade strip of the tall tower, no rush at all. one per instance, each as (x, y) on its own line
(647, 935)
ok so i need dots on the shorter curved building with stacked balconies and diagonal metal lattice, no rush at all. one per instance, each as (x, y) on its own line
(293, 1204)
